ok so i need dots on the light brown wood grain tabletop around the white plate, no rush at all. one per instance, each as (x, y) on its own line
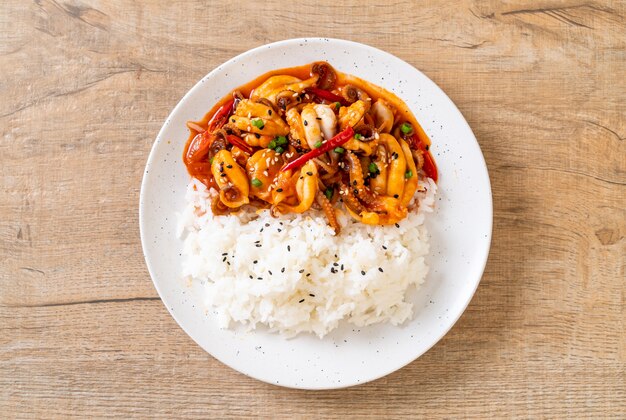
(85, 88)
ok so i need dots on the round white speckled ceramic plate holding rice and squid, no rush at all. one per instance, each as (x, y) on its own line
(460, 227)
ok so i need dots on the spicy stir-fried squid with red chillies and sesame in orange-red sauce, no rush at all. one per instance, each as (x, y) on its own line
(311, 137)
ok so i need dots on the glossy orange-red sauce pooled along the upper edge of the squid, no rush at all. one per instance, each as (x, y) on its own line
(201, 170)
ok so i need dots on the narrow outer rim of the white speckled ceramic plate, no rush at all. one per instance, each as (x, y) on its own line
(480, 259)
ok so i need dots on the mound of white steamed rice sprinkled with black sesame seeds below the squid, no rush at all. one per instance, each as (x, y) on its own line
(292, 274)
